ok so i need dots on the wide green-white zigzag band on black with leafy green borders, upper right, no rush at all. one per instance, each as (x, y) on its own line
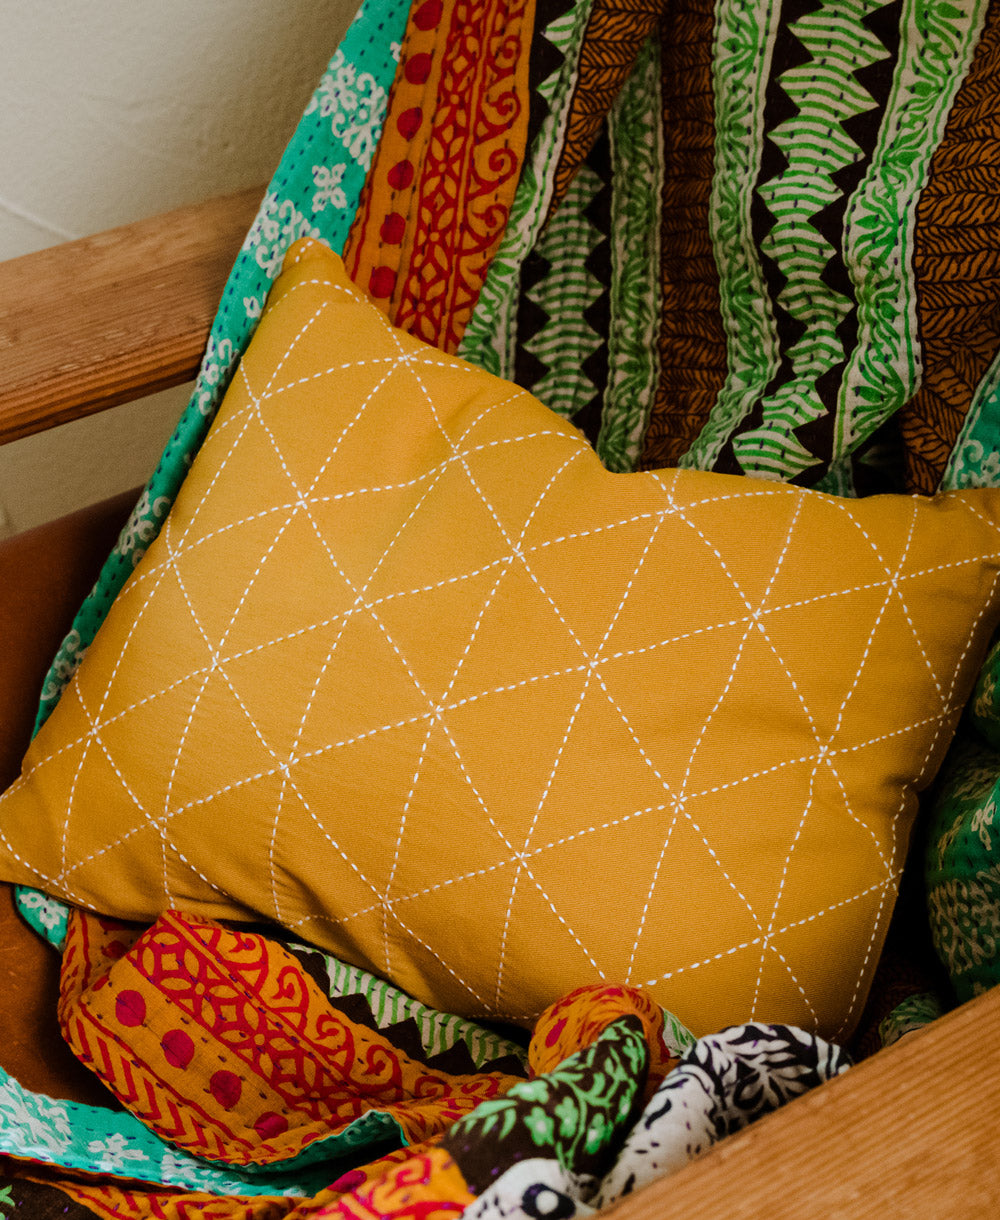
(834, 353)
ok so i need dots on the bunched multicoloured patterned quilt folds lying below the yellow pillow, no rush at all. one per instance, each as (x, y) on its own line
(238, 1055)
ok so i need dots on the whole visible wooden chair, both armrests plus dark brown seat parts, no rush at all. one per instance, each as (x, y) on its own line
(910, 1133)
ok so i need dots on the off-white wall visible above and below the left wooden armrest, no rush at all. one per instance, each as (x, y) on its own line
(115, 110)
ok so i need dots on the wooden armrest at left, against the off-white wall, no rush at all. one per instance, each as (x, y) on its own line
(112, 318)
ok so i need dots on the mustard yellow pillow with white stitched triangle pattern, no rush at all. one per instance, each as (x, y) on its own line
(410, 674)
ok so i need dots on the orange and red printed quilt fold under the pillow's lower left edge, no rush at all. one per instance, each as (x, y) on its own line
(187, 985)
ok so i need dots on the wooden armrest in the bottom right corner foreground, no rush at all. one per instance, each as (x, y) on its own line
(909, 1134)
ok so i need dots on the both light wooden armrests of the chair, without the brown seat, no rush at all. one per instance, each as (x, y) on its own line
(912, 1133)
